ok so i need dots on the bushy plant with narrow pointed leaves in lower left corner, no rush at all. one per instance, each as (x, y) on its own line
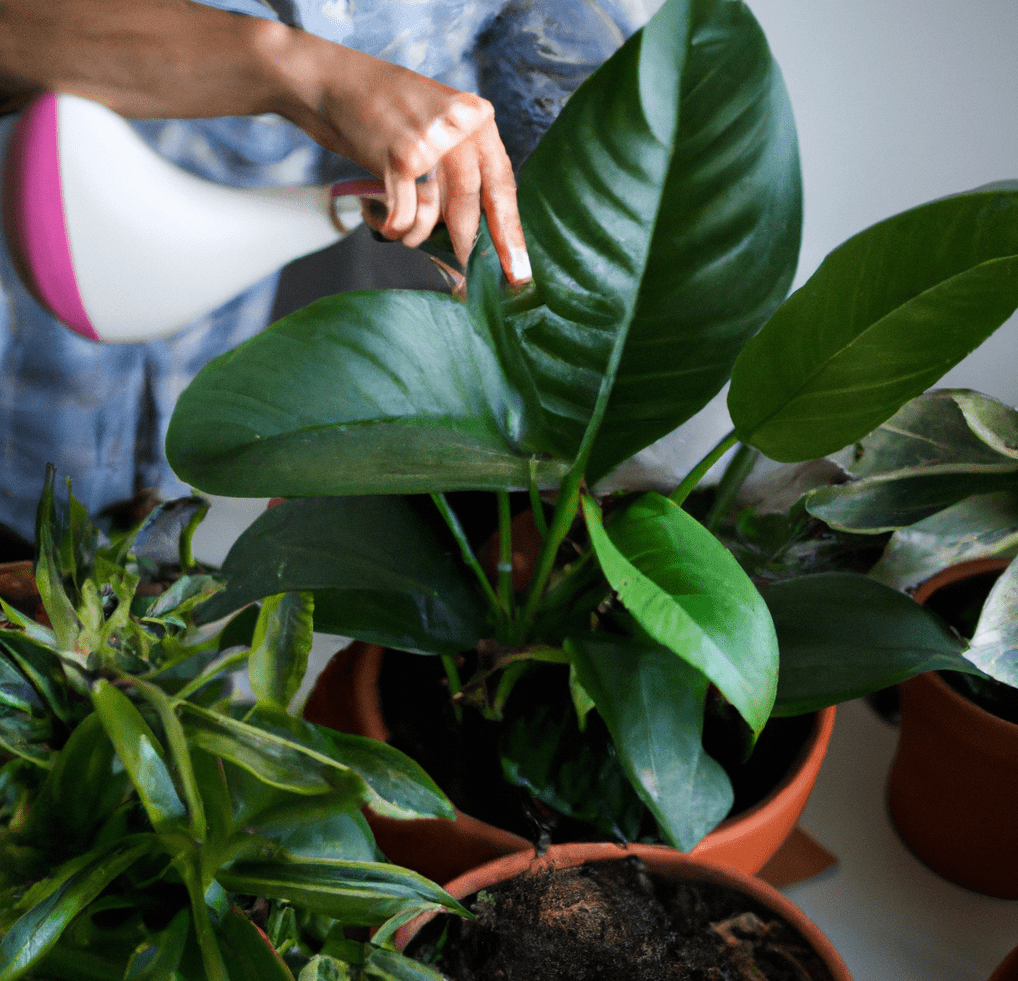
(151, 826)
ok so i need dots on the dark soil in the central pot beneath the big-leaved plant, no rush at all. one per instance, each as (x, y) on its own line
(464, 757)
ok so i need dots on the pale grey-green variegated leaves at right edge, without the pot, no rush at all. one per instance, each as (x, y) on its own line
(941, 480)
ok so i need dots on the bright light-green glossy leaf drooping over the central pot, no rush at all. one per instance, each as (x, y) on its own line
(690, 594)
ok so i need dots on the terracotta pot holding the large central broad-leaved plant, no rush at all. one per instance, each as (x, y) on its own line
(347, 698)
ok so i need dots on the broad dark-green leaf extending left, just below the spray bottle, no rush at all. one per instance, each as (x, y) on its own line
(360, 393)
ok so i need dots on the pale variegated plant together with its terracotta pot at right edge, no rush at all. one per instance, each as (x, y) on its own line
(940, 478)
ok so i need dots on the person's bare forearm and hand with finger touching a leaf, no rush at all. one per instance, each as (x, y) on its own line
(183, 60)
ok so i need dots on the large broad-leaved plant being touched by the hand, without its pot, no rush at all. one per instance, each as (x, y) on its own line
(663, 215)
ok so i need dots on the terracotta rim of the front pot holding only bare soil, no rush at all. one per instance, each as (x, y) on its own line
(658, 858)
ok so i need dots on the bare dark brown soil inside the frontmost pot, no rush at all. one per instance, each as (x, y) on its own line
(616, 921)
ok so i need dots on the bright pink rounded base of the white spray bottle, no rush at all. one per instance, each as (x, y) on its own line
(37, 201)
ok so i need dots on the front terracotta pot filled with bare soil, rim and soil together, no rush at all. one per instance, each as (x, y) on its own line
(599, 911)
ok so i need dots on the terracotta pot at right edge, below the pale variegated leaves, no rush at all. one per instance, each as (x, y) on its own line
(953, 785)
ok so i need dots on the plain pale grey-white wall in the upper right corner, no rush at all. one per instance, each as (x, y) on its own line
(899, 102)
